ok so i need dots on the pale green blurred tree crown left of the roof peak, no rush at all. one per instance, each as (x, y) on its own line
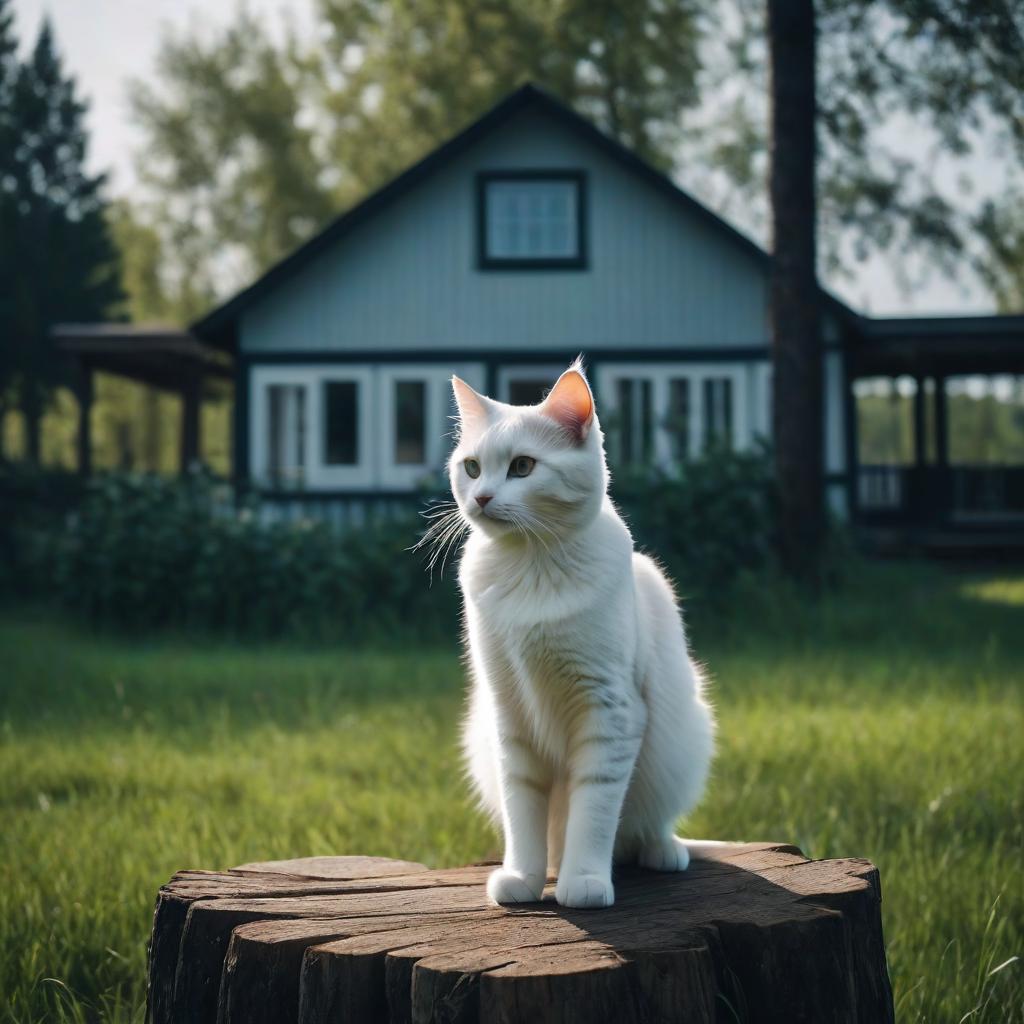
(230, 163)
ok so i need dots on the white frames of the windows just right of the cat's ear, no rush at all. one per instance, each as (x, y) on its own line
(660, 374)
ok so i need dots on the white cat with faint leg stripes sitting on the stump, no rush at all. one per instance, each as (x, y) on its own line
(588, 734)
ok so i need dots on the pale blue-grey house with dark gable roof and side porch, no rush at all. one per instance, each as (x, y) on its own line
(529, 238)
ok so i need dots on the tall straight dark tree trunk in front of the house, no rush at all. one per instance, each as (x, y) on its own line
(797, 405)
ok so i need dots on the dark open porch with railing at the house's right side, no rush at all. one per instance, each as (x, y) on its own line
(944, 493)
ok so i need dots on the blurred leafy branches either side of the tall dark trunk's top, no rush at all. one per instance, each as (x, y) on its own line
(940, 71)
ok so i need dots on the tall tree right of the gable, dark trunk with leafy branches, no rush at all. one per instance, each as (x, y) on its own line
(900, 55)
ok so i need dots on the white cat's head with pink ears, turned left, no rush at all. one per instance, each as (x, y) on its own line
(530, 471)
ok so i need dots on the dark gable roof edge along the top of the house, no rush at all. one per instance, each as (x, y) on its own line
(218, 327)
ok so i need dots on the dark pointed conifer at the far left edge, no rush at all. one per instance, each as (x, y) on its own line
(57, 259)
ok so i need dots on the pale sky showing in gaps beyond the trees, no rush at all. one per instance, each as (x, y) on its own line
(106, 44)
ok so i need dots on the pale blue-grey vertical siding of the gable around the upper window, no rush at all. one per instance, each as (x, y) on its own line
(660, 276)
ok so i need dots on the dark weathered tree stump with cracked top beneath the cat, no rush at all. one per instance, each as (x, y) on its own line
(753, 932)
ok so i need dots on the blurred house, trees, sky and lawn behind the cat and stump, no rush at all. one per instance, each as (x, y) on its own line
(244, 246)
